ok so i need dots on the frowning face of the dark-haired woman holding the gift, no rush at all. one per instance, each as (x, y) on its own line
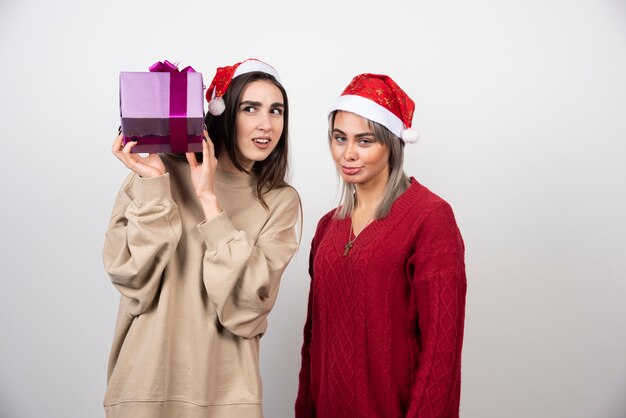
(259, 122)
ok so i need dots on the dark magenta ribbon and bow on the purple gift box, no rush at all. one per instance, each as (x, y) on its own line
(178, 103)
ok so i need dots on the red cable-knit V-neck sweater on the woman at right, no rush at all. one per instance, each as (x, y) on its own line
(384, 329)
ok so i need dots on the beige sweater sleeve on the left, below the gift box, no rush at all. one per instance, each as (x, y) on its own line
(143, 233)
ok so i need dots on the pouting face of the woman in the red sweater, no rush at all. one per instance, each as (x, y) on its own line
(361, 158)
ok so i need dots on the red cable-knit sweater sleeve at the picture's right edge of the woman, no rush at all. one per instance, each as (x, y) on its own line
(439, 285)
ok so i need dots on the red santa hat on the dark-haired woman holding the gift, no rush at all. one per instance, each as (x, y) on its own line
(223, 77)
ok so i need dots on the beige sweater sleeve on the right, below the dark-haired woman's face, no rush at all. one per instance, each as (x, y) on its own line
(241, 275)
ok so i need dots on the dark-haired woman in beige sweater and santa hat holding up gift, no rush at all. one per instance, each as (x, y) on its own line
(197, 247)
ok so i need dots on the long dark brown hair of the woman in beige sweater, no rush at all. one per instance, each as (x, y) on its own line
(272, 172)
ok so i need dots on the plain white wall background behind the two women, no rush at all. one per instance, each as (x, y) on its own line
(522, 110)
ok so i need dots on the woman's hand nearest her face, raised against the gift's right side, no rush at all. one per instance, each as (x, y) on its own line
(203, 177)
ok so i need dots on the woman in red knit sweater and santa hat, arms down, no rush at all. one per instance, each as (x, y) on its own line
(384, 328)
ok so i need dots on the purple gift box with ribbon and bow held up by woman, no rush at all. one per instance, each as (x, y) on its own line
(162, 109)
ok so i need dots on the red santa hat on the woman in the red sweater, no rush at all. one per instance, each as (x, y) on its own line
(378, 98)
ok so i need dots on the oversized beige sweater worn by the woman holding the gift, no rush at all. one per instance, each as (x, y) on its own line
(195, 295)
